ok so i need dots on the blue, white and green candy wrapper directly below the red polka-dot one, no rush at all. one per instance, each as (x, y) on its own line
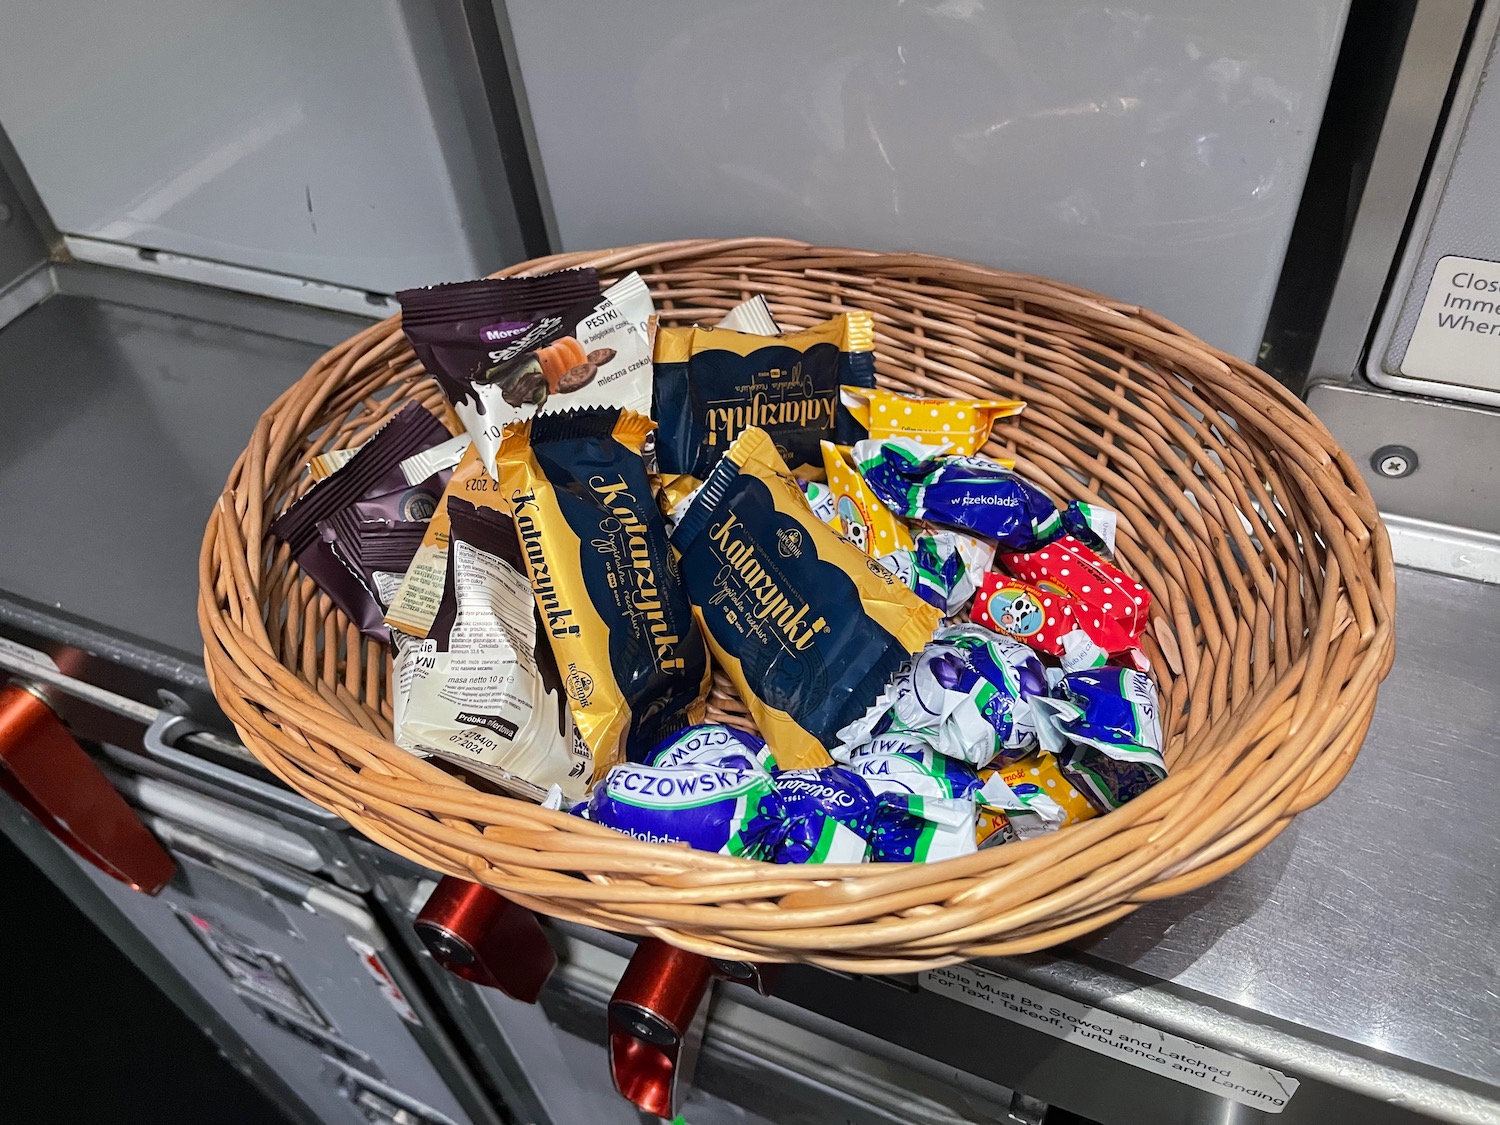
(1105, 727)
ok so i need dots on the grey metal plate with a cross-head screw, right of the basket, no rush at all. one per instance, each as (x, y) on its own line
(1457, 446)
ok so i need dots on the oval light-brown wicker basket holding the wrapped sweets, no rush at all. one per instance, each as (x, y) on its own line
(1271, 628)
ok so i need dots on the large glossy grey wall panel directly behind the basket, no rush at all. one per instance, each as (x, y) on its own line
(1153, 152)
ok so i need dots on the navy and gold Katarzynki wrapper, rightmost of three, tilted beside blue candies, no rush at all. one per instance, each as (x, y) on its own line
(808, 628)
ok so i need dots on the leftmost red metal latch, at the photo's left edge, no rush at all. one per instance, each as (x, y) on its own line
(53, 779)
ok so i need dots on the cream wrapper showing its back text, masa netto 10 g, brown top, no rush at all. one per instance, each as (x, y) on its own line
(479, 691)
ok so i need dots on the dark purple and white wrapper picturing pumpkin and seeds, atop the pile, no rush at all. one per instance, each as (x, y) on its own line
(512, 349)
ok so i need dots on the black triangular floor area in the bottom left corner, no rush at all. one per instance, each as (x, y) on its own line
(76, 1006)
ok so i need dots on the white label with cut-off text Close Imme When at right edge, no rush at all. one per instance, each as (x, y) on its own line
(1457, 337)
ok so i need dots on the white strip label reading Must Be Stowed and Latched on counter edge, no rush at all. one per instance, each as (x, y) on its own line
(1126, 1040)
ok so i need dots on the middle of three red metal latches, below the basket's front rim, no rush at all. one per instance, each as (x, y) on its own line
(487, 940)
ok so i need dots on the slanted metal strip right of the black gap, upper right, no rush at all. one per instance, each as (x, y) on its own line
(1433, 52)
